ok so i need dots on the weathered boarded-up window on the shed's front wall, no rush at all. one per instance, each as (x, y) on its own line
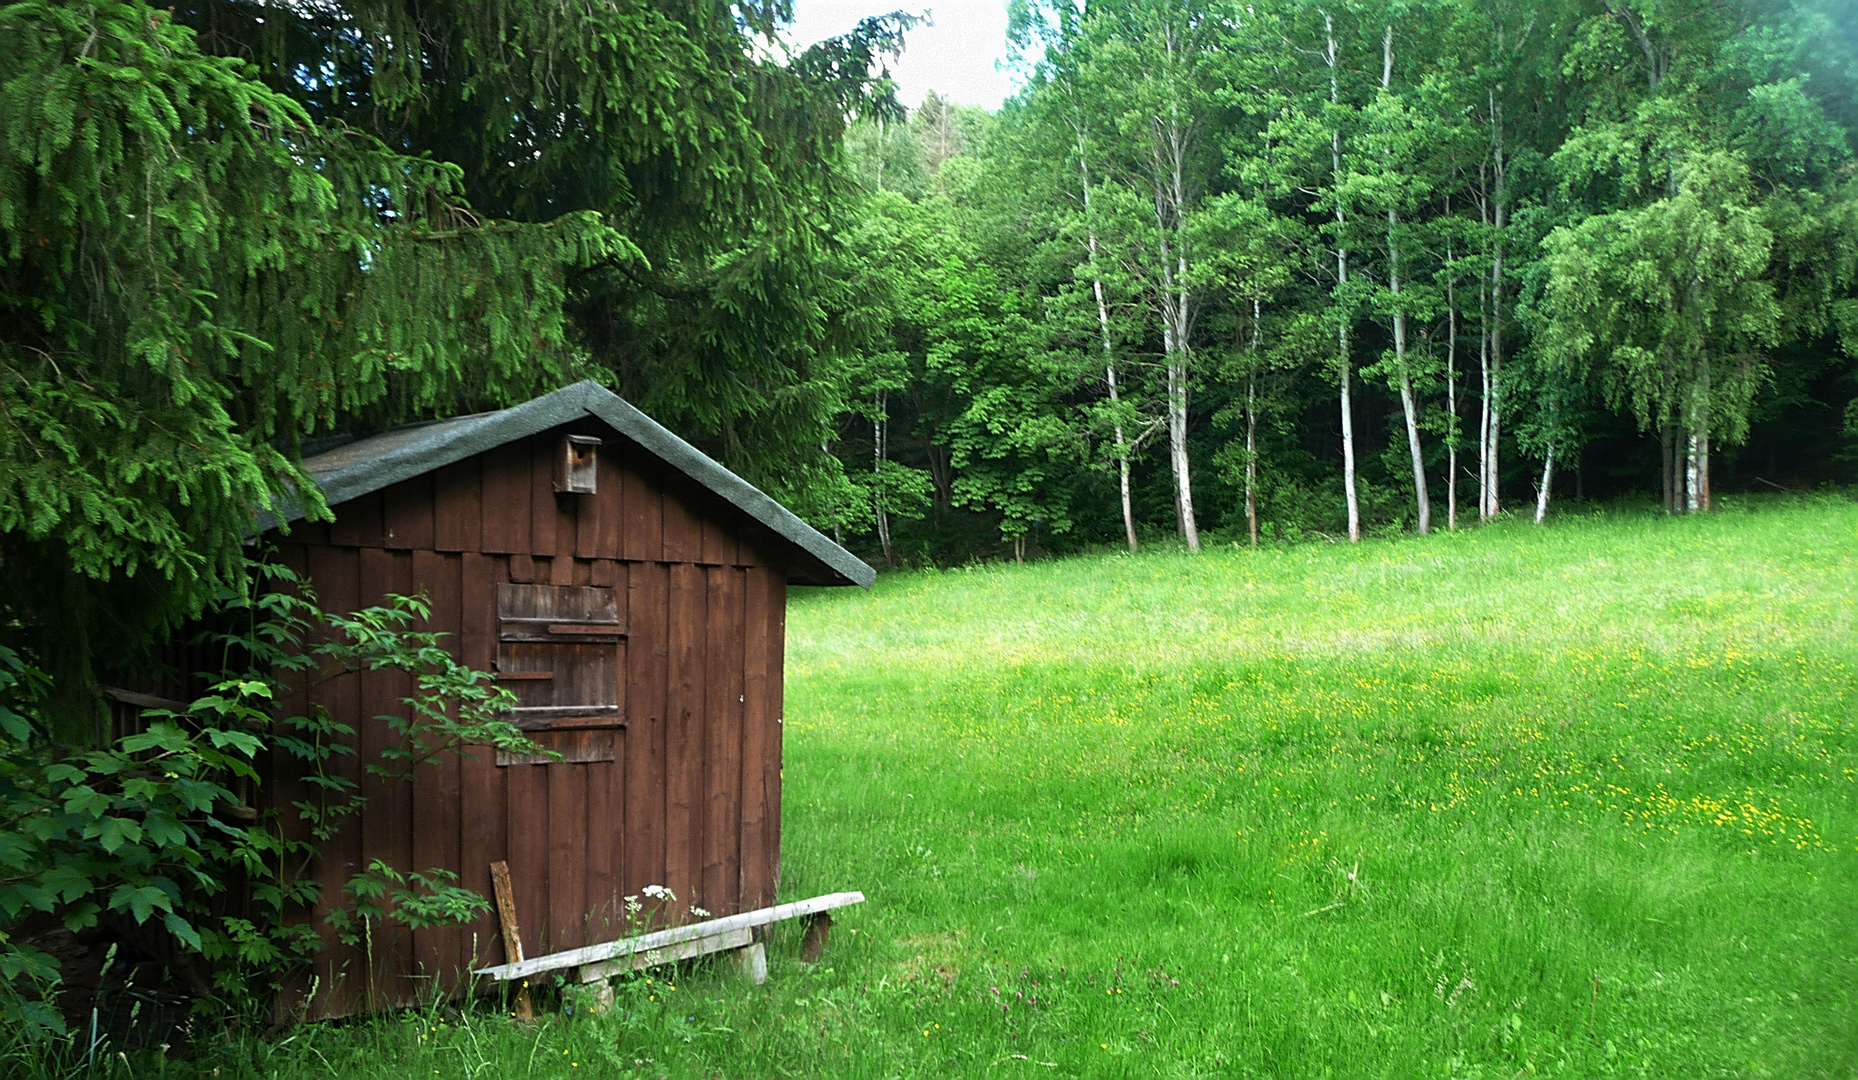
(562, 653)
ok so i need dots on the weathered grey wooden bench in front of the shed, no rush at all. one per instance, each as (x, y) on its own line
(733, 932)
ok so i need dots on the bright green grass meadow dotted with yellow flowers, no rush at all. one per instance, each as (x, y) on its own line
(1517, 802)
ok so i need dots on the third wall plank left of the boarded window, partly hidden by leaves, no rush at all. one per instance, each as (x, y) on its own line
(387, 819)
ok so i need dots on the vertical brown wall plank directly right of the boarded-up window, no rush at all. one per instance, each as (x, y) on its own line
(648, 681)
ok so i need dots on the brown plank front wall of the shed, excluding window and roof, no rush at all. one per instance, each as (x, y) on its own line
(692, 795)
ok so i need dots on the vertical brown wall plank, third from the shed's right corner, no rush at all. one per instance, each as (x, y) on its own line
(685, 718)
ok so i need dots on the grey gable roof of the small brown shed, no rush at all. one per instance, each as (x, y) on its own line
(376, 462)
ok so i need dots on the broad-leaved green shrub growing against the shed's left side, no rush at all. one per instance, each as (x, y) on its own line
(150, 828)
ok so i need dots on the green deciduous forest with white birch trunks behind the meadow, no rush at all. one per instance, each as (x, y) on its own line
(1309, 269)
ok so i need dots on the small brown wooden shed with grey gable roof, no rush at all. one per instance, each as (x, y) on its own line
(633, 594)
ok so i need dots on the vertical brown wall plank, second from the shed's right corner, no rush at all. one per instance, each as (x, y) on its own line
(724, 698)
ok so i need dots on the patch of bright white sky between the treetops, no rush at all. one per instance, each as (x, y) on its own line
(954, 59)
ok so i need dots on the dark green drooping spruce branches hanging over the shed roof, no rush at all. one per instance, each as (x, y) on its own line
(228, 228)
